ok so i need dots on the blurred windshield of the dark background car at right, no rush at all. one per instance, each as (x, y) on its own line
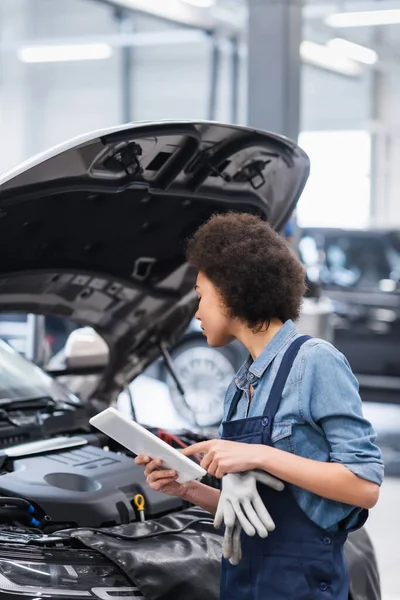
(362, 260)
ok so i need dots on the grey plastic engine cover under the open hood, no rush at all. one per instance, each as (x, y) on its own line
(87, 486)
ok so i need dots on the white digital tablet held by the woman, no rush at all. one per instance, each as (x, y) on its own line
(139, 440)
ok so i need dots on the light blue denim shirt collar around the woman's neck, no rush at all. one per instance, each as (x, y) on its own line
(282, 338)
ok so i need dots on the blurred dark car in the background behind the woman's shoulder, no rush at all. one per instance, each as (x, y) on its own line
(359, 270)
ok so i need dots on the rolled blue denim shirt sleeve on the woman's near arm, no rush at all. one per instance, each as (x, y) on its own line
(335, 406)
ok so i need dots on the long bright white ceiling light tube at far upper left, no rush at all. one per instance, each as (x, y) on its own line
(57, 53)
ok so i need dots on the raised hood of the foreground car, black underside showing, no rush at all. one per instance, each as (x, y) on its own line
(94, 230)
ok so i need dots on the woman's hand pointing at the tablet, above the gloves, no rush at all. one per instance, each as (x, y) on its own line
(222, 457)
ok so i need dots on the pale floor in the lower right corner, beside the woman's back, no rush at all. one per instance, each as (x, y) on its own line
(384, 527)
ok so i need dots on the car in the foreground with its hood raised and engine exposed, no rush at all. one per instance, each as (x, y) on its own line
(93, 231)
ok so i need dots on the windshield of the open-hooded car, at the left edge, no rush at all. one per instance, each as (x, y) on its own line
(20, 378)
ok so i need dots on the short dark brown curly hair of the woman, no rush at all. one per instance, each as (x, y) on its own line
(256, 274)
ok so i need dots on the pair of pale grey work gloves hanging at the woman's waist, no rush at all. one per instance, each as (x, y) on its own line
(240, 507)
